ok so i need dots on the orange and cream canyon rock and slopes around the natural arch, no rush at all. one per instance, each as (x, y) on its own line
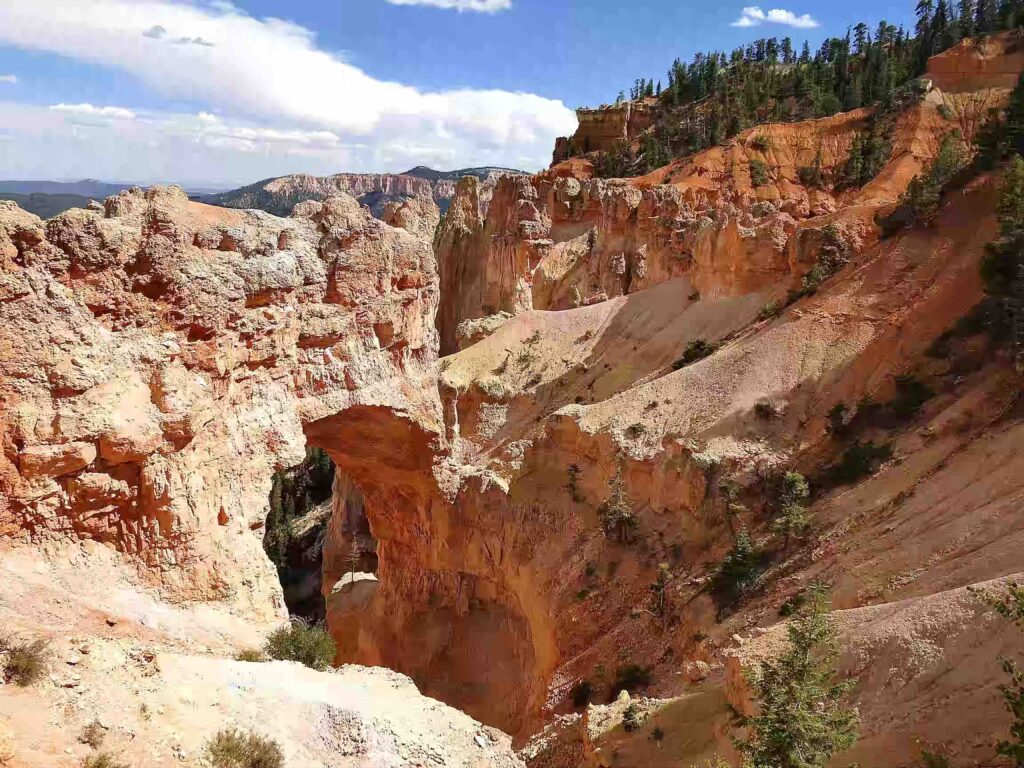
(483, 383)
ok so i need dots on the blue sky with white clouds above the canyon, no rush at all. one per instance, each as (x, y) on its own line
(217, 94)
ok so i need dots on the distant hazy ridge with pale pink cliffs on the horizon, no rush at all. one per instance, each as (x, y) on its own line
(280, 196)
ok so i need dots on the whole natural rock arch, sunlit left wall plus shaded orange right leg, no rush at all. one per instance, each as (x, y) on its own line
(162, 359)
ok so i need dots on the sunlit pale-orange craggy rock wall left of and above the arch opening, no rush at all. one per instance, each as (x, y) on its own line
(162, 358)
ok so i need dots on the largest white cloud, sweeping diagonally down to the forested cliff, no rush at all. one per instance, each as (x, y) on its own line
(270, 74)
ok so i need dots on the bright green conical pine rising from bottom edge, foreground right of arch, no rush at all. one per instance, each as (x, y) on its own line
(803, 719)
